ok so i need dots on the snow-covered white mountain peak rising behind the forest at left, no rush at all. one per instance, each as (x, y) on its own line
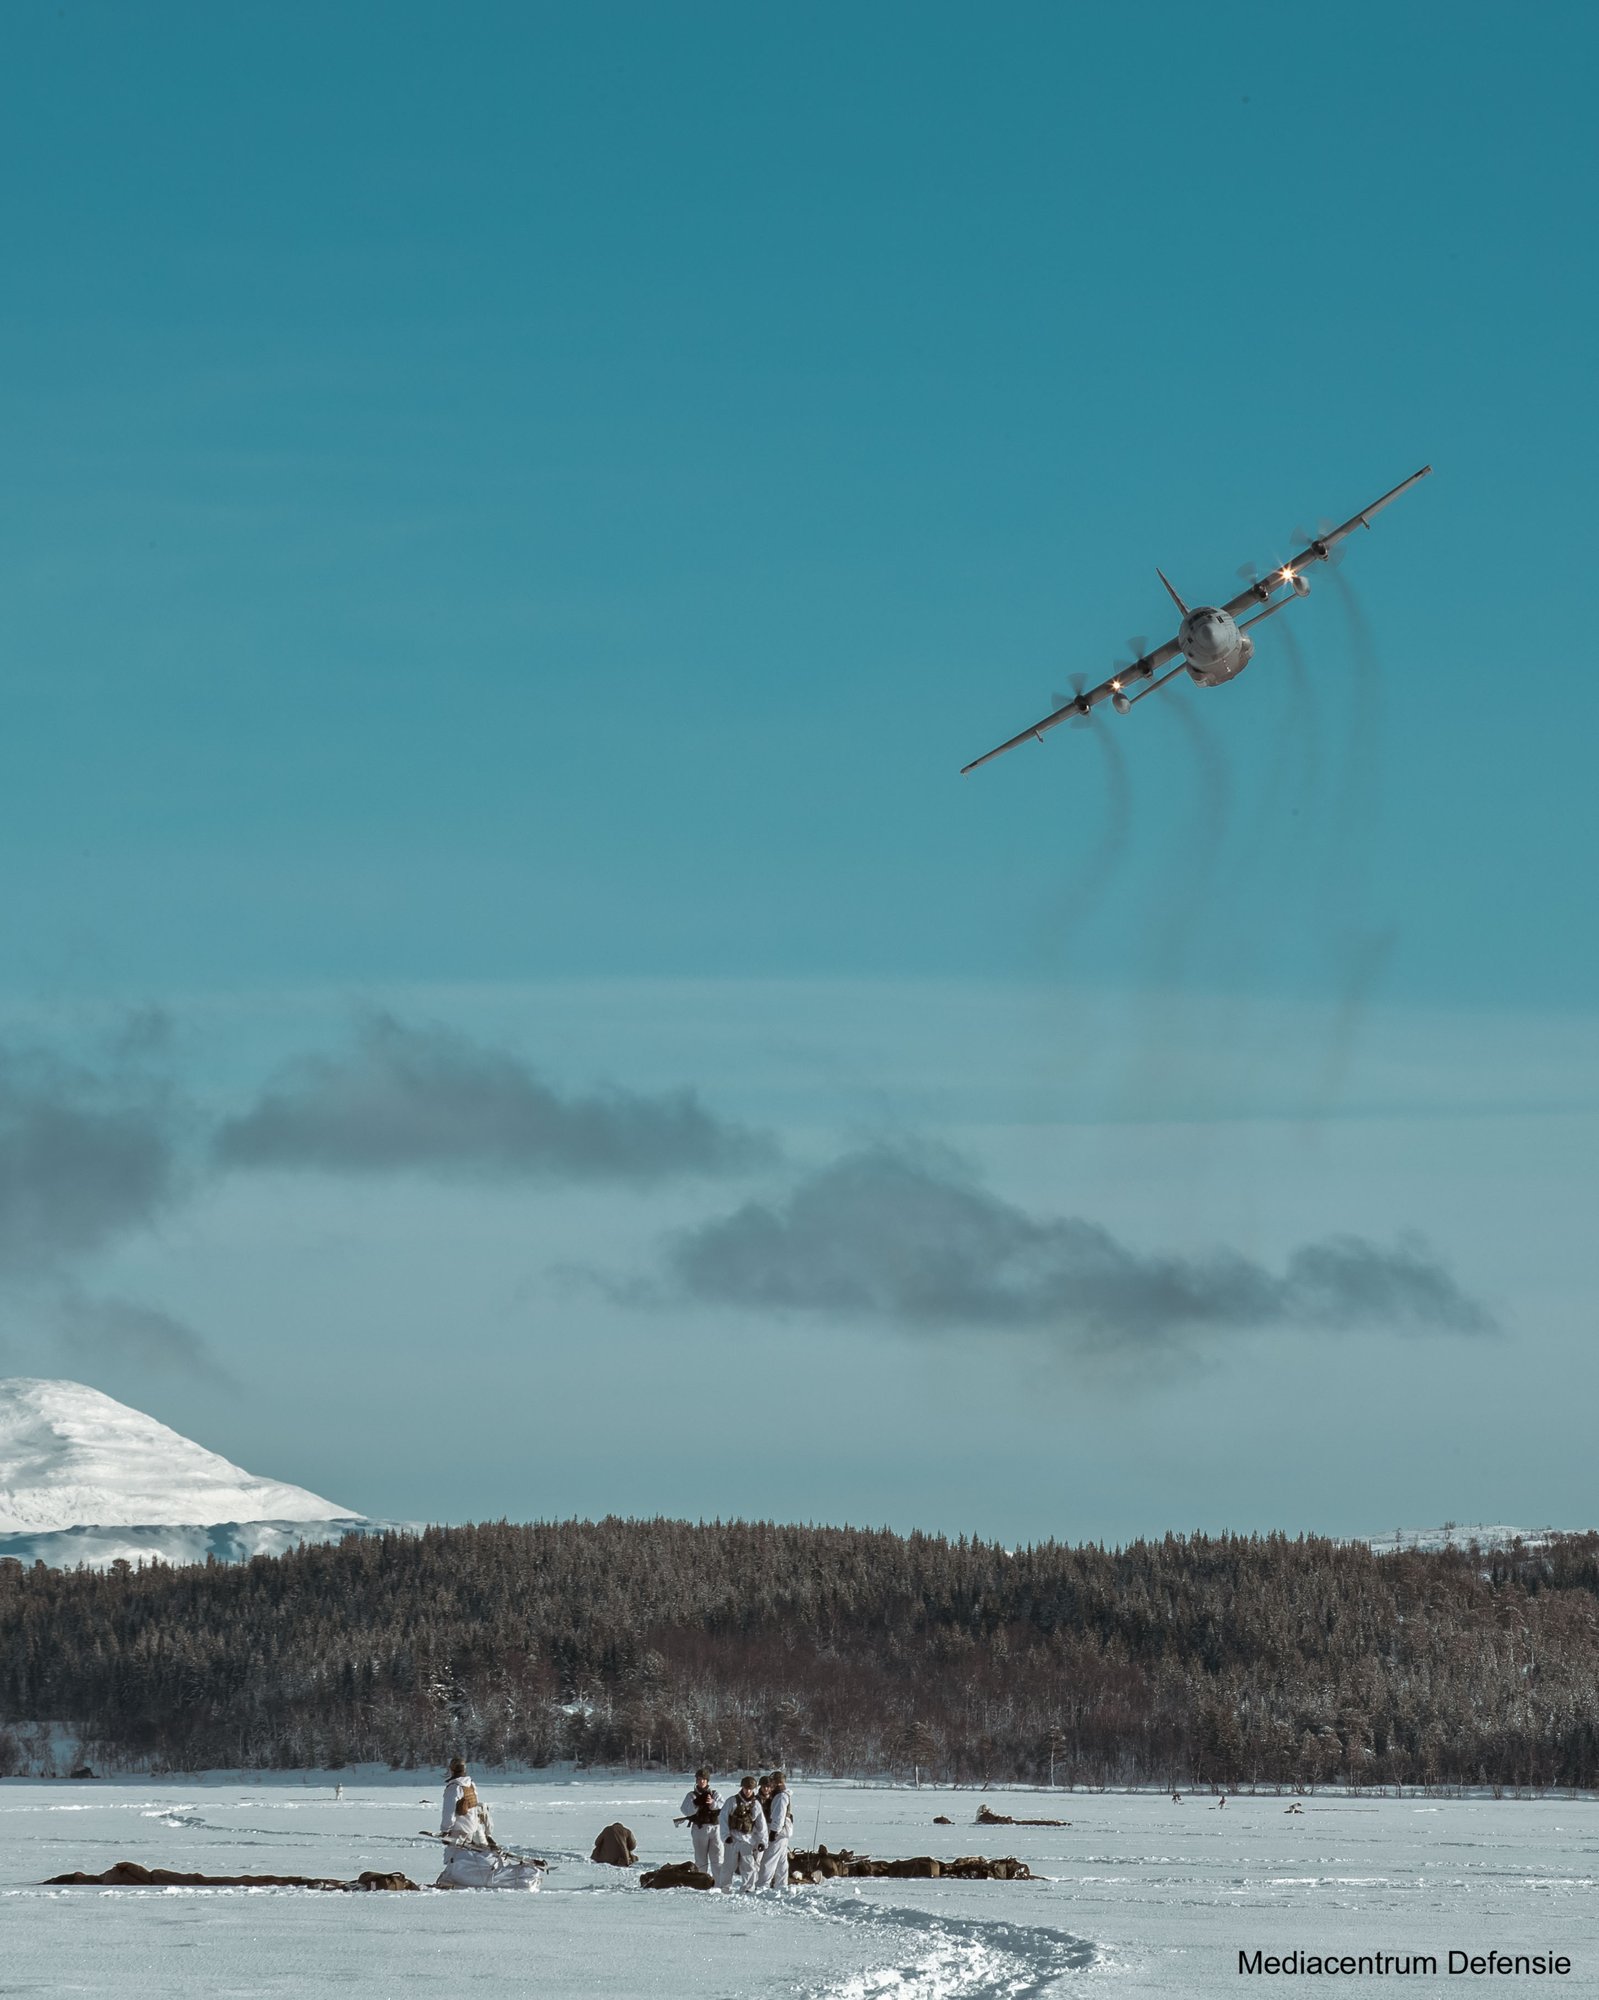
(73, 1457)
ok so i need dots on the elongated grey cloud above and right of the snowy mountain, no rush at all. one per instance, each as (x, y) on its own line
(403, 1099)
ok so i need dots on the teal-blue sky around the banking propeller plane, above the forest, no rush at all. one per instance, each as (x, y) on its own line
(511, 525)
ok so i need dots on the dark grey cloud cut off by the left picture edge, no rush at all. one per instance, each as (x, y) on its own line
(85, 1155)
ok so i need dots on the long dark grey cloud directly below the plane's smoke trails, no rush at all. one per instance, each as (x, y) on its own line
(918, 1241)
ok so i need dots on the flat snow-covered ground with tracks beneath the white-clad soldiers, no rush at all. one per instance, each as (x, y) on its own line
(1144, 1897)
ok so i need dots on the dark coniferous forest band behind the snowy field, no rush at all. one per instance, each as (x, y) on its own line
(1190, 1661)
